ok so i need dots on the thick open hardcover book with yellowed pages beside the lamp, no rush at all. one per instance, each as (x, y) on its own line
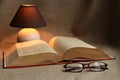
(59, 49)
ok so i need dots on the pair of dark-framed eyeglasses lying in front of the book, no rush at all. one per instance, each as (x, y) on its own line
(92, 66)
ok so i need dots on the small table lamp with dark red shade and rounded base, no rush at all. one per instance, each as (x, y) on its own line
(28, 17)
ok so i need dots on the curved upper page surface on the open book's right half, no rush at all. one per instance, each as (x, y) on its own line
(62, 44)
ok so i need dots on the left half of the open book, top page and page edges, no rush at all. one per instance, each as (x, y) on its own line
(31, 53)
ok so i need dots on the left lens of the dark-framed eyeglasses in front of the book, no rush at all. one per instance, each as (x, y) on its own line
(74, 67)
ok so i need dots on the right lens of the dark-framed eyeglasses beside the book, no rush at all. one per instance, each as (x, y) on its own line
(97, 66)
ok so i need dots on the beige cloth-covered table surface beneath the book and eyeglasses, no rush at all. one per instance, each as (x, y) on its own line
(55, 72)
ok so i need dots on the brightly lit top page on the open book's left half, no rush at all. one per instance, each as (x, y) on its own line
(33, 47)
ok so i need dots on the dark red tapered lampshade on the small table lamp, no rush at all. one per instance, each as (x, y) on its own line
(28, 16)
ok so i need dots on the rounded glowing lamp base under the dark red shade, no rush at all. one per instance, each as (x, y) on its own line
(28, 34)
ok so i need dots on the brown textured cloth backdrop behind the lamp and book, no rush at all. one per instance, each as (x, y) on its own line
(93, 20)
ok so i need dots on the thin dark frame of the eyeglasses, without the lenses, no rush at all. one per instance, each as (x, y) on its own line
(84, 66)
